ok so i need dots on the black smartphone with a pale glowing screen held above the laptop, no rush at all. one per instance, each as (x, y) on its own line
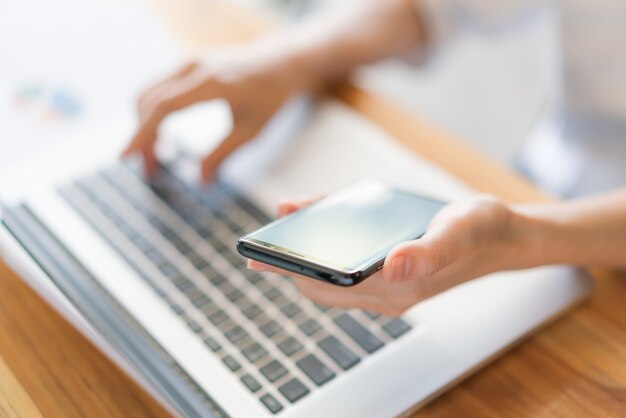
(343, 238)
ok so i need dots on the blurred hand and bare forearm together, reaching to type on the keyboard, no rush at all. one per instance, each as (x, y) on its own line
(256, 78)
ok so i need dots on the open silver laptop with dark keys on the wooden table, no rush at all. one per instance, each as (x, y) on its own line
(148, 270)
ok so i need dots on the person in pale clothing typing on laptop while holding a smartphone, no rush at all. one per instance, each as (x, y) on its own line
(468, 238)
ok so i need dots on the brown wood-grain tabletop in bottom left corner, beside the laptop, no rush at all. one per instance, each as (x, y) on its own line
(52, 369)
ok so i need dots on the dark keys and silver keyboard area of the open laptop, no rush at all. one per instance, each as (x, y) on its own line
(181, 241)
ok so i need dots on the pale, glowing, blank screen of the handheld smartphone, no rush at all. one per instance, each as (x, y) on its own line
(351, 227)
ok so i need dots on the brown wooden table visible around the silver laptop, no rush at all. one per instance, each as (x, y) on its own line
(573, 367)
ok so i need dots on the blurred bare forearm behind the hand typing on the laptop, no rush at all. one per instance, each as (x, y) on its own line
(328, 46)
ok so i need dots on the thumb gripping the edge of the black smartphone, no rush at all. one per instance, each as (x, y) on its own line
(416, 259)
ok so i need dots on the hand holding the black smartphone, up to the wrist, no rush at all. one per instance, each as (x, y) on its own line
(467, 239)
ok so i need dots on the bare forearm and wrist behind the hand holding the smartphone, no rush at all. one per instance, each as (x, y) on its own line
(586, 232)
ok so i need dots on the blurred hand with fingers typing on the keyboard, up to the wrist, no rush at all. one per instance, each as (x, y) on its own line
(252, 79)
